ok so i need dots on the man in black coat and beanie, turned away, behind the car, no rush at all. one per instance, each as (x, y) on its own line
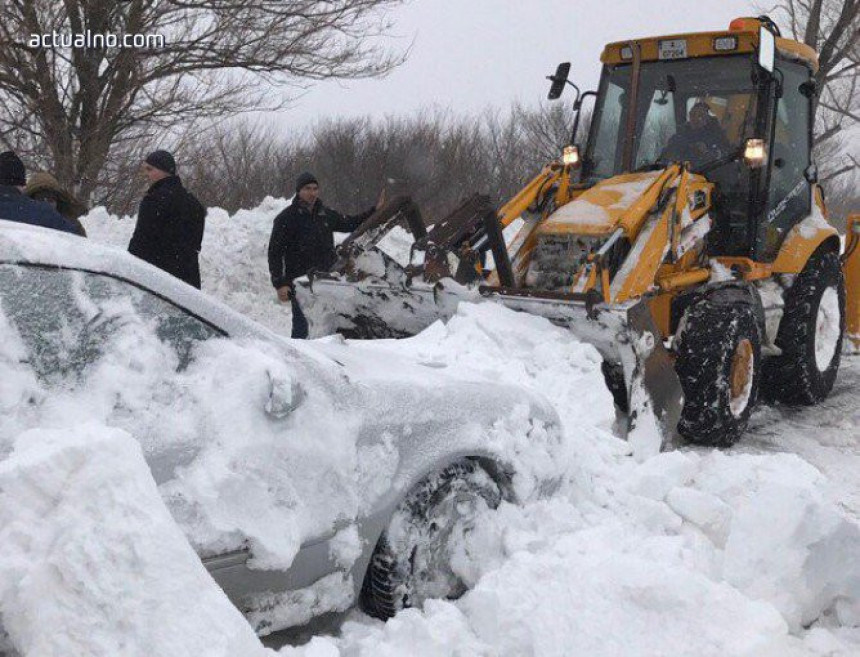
(170, 222)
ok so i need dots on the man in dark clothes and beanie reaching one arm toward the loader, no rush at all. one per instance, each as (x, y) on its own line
(302, 240)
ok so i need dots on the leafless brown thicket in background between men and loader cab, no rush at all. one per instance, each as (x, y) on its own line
(438, 158)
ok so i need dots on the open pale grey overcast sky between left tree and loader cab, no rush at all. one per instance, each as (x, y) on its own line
(471, 54)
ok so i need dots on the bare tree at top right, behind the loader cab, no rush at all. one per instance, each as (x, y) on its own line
(832, 29)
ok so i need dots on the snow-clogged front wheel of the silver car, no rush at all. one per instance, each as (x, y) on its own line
(412, 559)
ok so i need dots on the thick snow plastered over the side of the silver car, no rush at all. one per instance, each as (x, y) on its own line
(222, 462)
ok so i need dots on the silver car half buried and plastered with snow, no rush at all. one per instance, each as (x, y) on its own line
(306, 475)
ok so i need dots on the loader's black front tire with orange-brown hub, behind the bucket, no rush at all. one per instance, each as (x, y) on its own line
(718, 364)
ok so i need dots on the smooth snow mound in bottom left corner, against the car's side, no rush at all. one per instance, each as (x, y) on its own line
(93, 564)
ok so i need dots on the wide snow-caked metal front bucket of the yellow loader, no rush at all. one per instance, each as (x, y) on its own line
(624, 334)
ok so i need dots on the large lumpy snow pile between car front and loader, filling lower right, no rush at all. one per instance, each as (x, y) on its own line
(695, 552)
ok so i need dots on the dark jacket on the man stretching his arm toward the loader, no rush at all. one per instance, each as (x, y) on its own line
(302, 239)
